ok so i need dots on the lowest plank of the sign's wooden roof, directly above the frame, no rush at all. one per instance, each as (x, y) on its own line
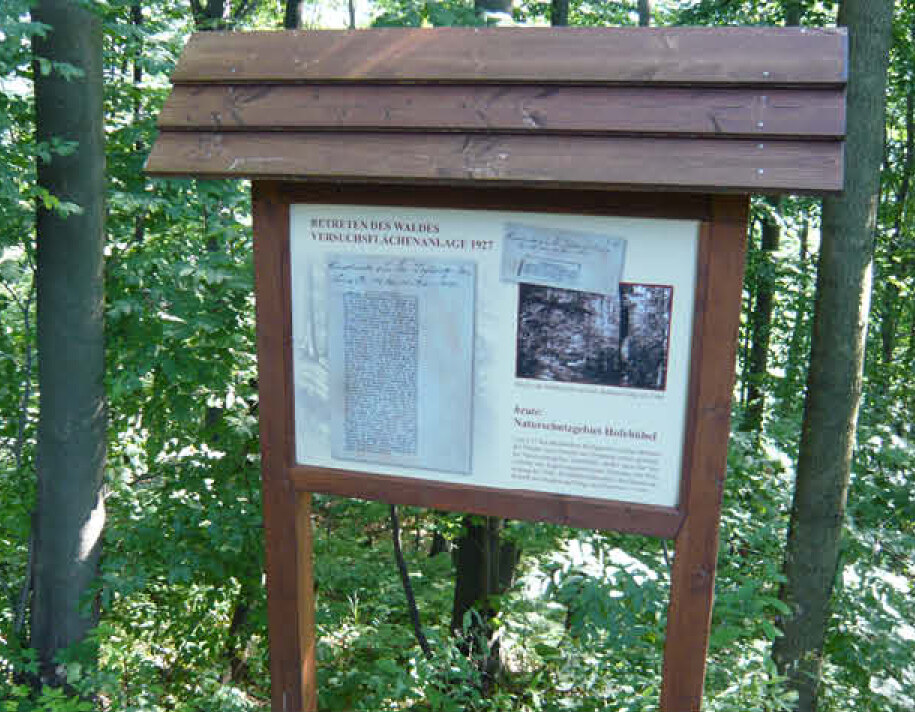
(579, 161)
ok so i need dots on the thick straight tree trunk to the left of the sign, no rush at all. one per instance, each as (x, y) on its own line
(72, 422)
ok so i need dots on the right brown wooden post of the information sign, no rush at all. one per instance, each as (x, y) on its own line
(712, 376)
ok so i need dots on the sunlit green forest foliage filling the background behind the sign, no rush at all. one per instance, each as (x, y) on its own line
(183, 607)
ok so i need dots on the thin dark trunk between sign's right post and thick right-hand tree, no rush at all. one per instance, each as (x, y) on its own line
(761, 328)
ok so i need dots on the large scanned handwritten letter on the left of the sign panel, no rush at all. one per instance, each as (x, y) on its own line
(401, 360)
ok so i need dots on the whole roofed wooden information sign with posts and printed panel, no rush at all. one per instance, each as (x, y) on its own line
(444, 322)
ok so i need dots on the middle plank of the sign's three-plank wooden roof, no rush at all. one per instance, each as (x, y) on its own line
(741, 112)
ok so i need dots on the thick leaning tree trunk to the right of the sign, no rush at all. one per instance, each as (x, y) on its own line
(834, 380)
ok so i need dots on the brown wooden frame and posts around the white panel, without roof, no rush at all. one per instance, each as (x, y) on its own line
(693, 523)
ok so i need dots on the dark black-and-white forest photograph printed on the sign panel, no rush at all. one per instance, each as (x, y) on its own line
(584, 337)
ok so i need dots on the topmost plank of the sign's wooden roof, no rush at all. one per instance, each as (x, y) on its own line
(676, 55)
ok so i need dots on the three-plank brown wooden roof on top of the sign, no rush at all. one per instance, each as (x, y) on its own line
(705, 109)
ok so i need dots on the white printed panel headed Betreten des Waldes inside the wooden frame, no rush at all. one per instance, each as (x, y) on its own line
(526, 351)
